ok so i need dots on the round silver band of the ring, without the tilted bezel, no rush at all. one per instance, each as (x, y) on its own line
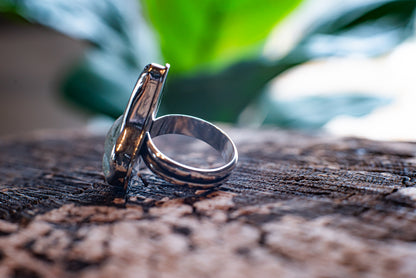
(179, 173)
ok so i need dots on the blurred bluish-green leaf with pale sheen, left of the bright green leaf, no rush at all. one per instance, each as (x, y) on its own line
(121, 45)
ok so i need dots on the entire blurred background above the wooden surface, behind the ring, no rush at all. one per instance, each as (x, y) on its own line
(342, 66)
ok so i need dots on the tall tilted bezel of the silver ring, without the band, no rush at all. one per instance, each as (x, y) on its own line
(127, 134)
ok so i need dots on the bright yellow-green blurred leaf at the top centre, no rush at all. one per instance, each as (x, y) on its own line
(213, 33)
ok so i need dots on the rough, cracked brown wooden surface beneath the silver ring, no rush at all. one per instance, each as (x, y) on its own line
(296, 206)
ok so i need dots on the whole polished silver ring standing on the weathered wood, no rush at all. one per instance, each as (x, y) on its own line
(130, 139)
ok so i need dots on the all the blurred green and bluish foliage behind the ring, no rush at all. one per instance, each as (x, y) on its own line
(224, 37)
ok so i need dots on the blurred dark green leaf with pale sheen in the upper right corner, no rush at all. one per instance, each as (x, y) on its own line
(369, 28)
